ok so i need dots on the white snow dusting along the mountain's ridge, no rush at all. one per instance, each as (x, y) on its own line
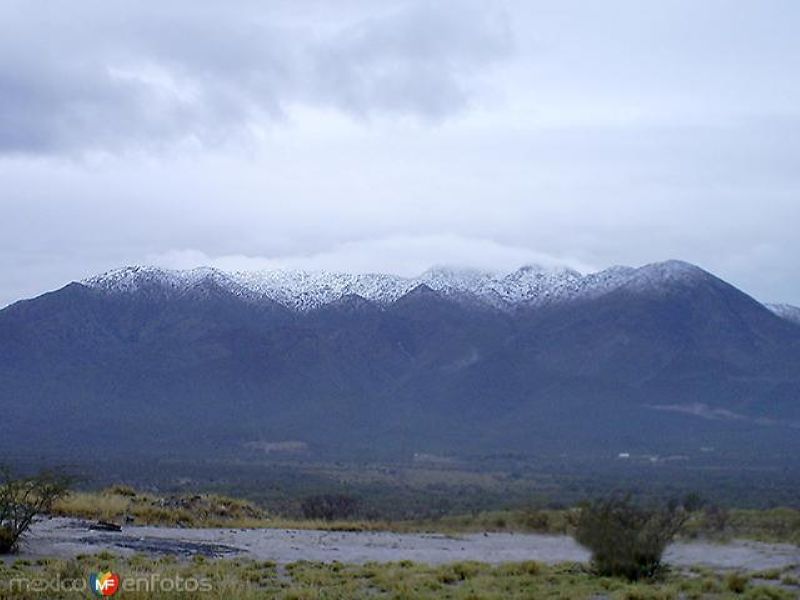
(304, 290)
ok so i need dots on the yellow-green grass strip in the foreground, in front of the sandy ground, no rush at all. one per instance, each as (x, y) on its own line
(248, 579)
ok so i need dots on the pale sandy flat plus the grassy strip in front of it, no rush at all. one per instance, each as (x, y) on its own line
(211, 564)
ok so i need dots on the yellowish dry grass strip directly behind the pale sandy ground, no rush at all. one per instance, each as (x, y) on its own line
(209, 510)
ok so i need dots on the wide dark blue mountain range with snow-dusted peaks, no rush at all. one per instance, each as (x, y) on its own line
(661, 359)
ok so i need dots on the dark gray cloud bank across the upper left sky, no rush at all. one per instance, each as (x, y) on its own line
(108, 76)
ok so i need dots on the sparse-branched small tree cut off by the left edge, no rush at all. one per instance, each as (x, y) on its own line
(21, 499)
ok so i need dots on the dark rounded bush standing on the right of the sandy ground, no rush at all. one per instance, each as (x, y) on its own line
(625, 539)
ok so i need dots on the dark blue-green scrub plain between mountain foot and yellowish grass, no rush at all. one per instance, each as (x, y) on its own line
(413, 490)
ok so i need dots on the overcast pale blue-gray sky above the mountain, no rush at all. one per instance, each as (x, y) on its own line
(392, 136)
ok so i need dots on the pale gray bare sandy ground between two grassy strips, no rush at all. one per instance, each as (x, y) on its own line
(69, 537)
